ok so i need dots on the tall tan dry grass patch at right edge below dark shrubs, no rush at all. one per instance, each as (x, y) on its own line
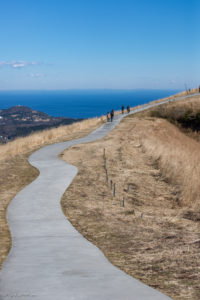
(178, 156)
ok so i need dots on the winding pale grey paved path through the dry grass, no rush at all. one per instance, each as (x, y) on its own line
(49, 259)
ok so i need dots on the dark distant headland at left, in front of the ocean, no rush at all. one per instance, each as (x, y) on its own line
(22, 120)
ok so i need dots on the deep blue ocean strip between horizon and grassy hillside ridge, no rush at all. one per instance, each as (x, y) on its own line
(80, 103)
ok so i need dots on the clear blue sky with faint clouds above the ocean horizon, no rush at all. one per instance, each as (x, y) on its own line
(93, 44)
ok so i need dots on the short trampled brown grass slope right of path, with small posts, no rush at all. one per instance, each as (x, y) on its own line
(149, 238)
